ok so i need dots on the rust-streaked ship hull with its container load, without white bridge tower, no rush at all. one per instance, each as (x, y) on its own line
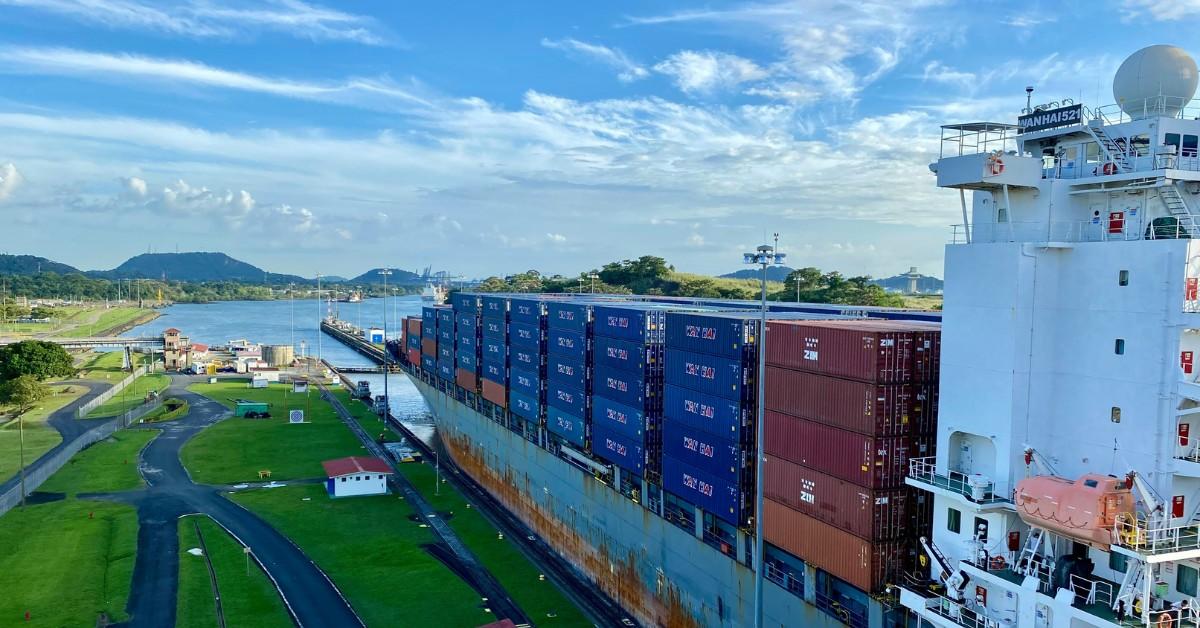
(622, 430)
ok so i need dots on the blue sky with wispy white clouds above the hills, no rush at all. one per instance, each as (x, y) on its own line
(488, 139)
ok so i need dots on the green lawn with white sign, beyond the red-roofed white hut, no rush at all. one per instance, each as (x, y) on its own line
(237, 450)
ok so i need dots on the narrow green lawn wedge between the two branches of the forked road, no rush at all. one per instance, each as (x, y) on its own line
(245, 600)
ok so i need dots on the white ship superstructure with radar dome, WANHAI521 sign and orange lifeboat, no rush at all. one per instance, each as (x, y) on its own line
(1071, 321)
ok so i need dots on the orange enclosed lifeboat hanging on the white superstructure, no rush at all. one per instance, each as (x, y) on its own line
(1084, 510)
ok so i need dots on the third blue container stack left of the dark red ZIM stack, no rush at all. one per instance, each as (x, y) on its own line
(568, 374)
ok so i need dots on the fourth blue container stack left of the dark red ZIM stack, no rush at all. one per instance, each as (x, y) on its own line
(527, 366)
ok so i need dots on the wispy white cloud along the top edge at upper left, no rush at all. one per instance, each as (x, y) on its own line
(209, 19)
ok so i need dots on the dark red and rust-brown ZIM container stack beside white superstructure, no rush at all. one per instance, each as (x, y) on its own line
(848, 404)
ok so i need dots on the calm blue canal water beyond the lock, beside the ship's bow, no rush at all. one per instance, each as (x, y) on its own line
(296, 322)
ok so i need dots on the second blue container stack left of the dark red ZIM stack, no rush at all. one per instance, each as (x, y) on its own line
(627, 374)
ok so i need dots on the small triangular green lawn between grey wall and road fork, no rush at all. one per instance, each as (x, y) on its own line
(111, 465)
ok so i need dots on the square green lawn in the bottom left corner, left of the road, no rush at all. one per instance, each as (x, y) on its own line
(65, 567)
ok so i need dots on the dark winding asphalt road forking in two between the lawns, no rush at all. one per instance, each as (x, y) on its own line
(309, 594)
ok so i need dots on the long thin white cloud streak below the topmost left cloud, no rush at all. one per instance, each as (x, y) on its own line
(104, 67)
